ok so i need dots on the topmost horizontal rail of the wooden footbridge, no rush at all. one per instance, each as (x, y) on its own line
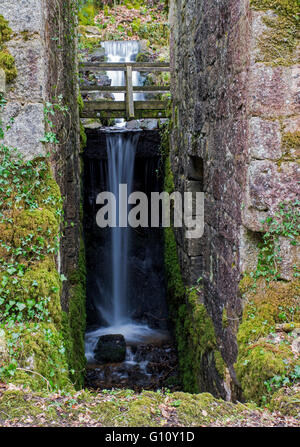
(121, 66)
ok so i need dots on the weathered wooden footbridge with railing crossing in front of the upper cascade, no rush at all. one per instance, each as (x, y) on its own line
(129, 108)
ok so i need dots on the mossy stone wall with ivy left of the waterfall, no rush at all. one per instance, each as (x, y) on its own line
(43, 45)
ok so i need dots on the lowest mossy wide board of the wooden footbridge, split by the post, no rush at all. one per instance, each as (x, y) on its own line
(120, 105)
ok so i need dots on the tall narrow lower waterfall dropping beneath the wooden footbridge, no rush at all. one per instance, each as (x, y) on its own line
(121, 150)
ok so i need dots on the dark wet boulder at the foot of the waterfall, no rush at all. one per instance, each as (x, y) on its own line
(110, 348)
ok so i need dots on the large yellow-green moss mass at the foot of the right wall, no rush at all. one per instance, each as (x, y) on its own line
(259, 359)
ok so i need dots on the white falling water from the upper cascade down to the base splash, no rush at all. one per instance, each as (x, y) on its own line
(121, 149)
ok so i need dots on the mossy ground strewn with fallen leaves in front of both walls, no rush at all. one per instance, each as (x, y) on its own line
(124, 408)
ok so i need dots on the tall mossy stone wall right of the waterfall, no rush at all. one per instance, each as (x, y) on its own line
(236, 118)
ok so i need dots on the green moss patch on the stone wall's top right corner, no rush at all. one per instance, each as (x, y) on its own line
(279, 42)
